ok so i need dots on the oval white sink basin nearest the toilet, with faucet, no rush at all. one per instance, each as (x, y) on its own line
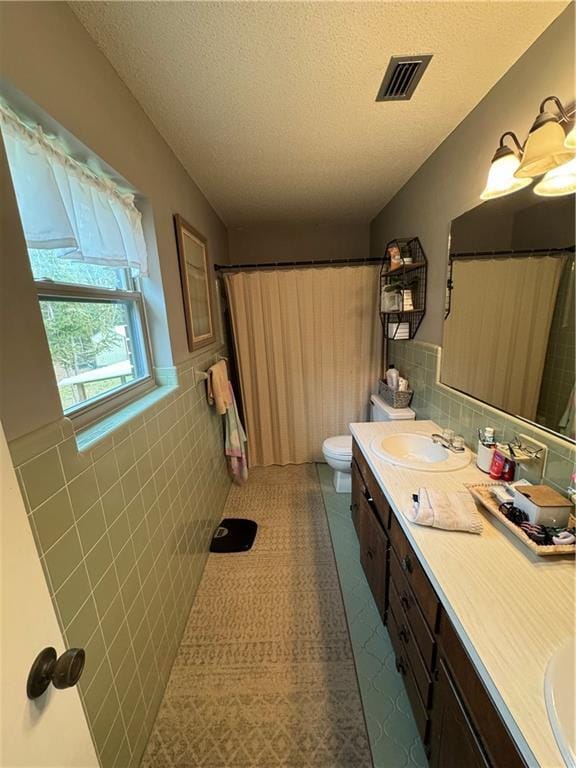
(414, 451)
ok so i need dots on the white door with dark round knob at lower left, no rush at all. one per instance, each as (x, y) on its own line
(50, 731)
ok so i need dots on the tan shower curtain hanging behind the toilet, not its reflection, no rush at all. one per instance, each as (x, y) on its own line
(308, 343)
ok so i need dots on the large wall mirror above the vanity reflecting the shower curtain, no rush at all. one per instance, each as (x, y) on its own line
(509, 331)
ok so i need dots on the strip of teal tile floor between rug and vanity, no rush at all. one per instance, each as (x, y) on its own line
(391, 729)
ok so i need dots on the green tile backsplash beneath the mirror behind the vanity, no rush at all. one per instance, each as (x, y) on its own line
(418, 361)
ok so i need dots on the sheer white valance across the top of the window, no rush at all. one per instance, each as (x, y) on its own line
(65, 206)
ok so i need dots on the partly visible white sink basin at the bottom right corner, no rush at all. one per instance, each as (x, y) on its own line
(560, 695)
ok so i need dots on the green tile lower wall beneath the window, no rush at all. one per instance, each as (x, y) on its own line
(122, 530)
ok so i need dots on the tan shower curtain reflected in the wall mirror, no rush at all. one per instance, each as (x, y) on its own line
(496, 335)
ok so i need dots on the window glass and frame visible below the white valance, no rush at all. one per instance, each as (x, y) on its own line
(94, 323)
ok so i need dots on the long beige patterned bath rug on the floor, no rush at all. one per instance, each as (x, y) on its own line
(265, 677)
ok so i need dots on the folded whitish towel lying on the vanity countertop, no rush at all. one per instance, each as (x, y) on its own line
(455, 511)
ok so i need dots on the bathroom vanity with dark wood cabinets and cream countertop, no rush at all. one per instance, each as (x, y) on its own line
(473, 619)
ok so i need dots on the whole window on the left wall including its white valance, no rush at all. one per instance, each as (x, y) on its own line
(87, 254)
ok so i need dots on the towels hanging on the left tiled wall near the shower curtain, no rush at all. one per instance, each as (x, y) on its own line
(221, 394)
